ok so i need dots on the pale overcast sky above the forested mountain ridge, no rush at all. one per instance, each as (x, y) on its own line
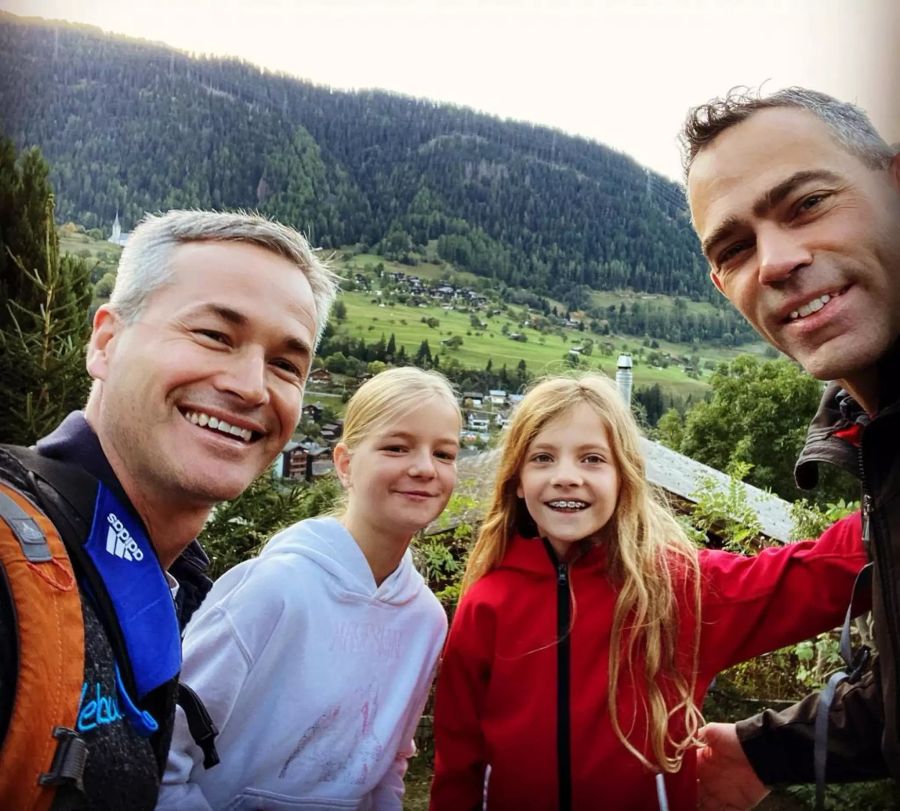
(620, 72)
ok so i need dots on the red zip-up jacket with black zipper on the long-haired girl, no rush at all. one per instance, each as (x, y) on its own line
(501, 701)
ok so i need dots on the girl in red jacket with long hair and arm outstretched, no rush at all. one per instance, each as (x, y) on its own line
(590, 626)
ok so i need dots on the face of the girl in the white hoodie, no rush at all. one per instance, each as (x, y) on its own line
(400, 477)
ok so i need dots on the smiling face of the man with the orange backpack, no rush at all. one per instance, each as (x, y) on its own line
(197, 396)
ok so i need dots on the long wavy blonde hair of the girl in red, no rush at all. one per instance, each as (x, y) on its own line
(649, 557)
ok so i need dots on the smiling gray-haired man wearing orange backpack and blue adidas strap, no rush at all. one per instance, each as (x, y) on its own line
(198, 361)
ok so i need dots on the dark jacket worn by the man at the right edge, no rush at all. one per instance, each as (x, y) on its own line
(864, 720)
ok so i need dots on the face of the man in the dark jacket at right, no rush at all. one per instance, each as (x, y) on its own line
(804, 239)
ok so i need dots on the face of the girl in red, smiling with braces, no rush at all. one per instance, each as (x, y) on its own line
(569, 479)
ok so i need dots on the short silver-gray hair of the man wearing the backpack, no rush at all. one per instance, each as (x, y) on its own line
(145, 264)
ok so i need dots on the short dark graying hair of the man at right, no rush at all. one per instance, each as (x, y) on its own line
(849, 125)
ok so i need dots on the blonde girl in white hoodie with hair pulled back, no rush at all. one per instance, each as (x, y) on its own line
(315, 659)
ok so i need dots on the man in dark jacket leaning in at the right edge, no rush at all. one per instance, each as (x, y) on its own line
(796, 201)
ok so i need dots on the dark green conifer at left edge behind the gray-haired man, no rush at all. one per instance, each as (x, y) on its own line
(44, 318)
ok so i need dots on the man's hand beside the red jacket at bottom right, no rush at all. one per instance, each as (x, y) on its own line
(727, 780)
